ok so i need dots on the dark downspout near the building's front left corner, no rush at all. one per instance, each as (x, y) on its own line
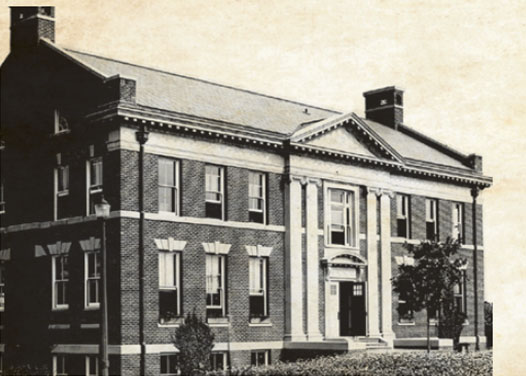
(142, 138)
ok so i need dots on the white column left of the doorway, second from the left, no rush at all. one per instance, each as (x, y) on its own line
(313, 265)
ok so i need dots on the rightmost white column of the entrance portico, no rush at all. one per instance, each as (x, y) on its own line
(385, 241)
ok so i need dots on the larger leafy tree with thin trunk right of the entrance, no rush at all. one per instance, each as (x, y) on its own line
(427, 281)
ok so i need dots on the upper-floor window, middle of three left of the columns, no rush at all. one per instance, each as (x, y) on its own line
(214, 192)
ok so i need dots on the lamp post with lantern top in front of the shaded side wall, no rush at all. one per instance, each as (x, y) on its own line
(102, 211)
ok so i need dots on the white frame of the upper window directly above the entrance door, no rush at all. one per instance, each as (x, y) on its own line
(353, 222)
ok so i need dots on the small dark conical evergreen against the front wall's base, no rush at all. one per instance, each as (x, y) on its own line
(195, 341)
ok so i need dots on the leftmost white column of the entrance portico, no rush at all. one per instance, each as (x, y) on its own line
(293, 263)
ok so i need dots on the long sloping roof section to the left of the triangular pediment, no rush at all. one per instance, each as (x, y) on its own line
(191, 96)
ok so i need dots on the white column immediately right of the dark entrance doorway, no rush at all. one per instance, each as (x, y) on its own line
(372, 264)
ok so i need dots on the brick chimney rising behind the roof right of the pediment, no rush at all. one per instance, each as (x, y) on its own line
(385, 106)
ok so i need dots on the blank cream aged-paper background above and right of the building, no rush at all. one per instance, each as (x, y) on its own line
(462, 64)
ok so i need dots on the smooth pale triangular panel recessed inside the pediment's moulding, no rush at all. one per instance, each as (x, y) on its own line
(343, 140)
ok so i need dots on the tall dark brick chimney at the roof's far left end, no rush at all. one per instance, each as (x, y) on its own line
(29, 24)
